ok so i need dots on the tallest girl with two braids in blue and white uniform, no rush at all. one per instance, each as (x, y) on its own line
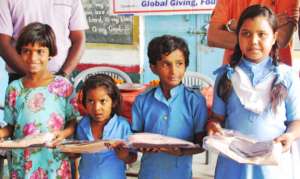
(257, 96)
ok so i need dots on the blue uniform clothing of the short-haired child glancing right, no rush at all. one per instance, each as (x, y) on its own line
(182, 116)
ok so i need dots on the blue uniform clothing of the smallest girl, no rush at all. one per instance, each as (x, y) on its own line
(102, 164)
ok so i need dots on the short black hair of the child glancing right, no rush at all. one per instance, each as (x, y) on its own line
(164, 45)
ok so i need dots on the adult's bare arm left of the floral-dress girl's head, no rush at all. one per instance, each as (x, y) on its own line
(10, 55)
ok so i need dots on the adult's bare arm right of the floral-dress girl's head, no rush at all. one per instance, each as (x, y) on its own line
(75, 52)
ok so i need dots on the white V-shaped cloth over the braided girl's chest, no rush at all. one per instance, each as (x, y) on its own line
(254, 98)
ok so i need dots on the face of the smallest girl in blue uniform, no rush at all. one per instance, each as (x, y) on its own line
(99, 104)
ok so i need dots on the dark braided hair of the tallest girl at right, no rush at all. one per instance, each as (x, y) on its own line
(224, 87)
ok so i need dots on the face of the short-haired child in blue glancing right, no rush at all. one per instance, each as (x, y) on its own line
(170, 69)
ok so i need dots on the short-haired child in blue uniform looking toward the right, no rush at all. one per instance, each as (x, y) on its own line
(170, 109)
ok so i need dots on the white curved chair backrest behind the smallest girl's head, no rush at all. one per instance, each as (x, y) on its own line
(112, 72)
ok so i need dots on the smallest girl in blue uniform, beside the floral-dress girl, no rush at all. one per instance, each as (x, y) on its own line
(102, 100)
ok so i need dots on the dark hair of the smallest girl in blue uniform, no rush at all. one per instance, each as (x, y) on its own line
(103, 80)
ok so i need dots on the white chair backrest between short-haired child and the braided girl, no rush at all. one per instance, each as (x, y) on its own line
(196, 80)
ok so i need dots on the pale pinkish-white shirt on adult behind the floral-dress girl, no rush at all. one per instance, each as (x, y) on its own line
(62, 15)
